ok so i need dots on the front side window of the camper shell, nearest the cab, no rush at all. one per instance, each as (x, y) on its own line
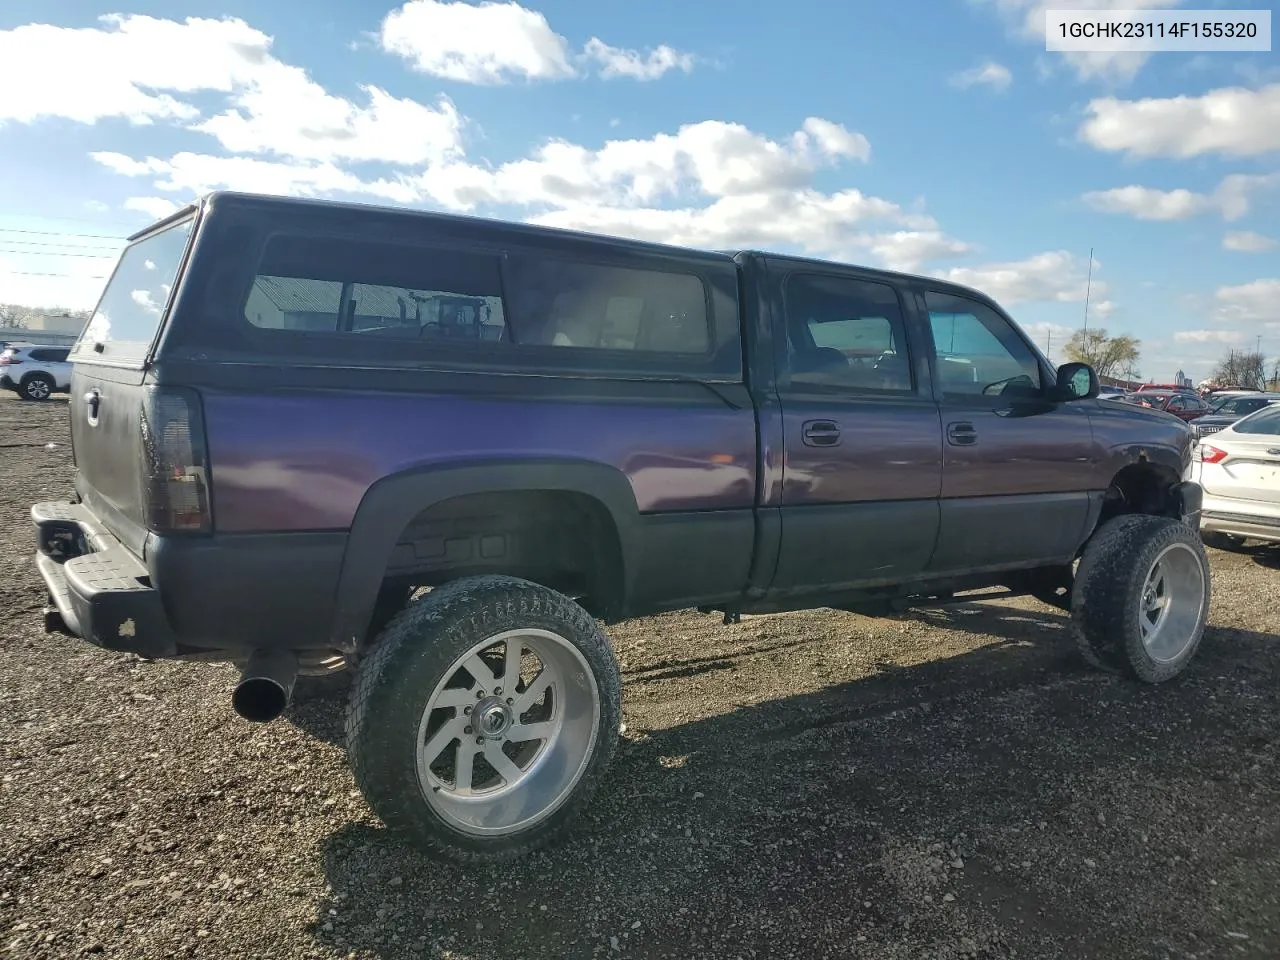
(589, 307)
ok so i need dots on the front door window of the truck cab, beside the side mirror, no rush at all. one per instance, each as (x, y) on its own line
(980, 354)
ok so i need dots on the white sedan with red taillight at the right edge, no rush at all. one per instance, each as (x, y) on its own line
(1240, 470)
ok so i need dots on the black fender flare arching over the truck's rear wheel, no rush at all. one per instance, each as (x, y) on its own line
(394, 501)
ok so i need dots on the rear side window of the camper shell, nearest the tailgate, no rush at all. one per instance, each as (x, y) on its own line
(321, 286)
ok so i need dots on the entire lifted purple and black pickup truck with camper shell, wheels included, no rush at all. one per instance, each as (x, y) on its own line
(427, 456)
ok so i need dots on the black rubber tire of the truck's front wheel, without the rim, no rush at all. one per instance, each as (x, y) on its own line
(1109, 588)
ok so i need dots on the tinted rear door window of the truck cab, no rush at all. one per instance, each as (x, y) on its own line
(848, 335)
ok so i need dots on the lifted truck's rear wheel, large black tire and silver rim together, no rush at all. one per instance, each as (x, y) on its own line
(484, 719)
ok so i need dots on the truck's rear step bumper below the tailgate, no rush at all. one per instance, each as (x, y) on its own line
(98, 589)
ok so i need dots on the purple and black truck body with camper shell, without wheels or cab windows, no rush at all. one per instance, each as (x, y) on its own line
(319, 472)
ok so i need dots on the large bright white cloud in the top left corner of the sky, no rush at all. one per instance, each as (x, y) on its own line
(132, 67)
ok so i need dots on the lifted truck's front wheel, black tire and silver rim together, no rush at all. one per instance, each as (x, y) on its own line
(1141, 597)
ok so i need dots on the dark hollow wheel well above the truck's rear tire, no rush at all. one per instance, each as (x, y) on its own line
(560, 540)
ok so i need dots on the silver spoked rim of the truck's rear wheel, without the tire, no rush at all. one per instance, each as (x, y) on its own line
(509, 732)
